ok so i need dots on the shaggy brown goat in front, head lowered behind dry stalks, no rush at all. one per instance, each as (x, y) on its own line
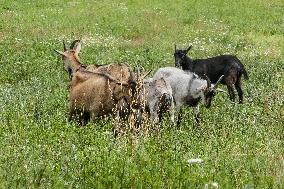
(94, 95)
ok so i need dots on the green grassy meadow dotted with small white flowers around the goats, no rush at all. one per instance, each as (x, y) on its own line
(242, 146)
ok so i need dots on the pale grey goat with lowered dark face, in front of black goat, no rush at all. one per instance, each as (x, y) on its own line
(188, 89)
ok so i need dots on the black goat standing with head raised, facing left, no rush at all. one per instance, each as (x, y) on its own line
(228, 65)
